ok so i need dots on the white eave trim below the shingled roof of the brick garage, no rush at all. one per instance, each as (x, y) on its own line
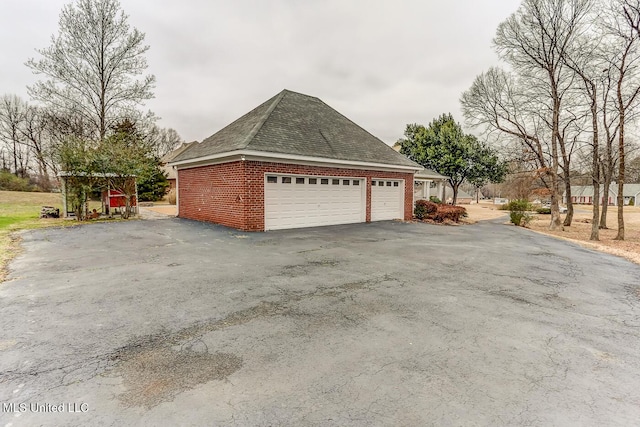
(288, 158)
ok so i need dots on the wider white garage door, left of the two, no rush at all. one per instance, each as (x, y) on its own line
(292, 201)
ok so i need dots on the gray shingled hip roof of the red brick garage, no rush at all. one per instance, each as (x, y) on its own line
(297, 124)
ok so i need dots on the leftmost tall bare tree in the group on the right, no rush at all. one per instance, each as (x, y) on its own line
(528, 105)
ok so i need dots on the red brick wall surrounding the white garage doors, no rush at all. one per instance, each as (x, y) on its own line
(232, 194)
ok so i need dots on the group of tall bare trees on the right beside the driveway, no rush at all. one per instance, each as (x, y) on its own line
(569, 90)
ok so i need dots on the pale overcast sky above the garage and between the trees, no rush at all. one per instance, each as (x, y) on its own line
(383, 64)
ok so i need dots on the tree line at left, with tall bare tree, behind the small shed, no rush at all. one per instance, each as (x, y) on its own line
(89, 97)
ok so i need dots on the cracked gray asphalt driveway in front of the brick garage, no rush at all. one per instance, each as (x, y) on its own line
(174, 322)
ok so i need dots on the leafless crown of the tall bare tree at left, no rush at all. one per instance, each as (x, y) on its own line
(94, 67)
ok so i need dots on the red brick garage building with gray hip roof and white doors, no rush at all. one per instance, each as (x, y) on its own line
(292, 162)
